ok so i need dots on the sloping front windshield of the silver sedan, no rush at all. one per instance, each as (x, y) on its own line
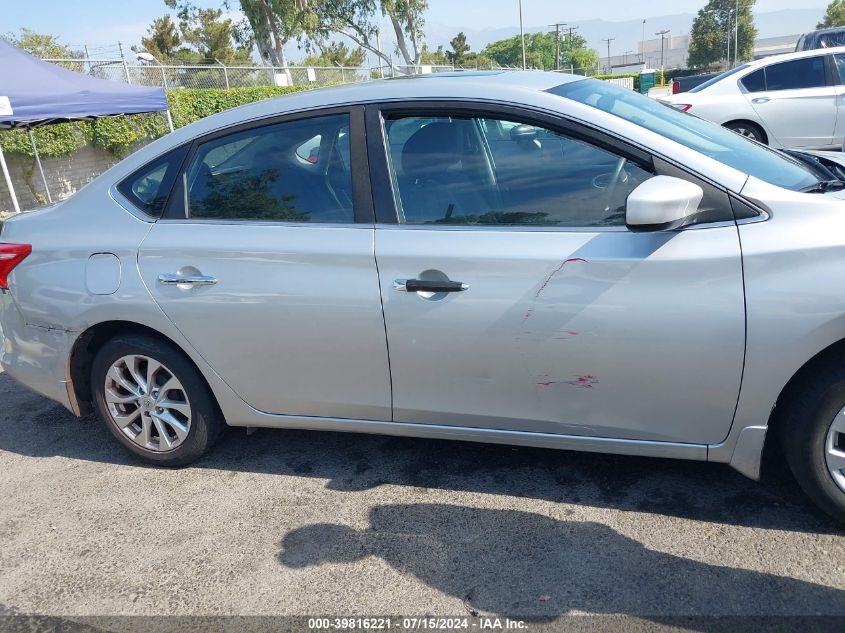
(705, 137)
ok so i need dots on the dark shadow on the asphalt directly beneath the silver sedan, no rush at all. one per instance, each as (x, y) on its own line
(34, 426)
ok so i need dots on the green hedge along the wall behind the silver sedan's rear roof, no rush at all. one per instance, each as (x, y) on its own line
(118, 134)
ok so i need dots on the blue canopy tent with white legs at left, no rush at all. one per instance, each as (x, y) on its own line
(34, 92)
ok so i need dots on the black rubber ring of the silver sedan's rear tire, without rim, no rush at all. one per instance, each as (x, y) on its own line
(206, 421)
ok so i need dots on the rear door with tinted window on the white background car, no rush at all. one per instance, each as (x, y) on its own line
(798, 104)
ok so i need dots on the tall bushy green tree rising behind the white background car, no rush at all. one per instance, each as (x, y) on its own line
(713, 32)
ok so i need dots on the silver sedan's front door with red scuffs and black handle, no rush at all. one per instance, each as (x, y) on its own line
(515, 297)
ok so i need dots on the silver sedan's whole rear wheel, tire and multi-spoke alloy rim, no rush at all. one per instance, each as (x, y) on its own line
(171, 426)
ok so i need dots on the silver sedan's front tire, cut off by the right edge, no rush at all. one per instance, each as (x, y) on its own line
(806, 423)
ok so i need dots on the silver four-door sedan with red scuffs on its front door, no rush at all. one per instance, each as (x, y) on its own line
(523, 258)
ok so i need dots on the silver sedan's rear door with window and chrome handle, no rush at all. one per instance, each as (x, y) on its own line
(262, 266)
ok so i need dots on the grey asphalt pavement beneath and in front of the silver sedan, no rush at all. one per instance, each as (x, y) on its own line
(308, 523)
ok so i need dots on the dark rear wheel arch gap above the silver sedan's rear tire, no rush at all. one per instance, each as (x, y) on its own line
(87, 345)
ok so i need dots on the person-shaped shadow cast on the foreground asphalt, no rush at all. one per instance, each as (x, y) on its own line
(508, 562)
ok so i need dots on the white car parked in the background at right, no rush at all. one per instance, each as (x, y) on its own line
(795, 100)
